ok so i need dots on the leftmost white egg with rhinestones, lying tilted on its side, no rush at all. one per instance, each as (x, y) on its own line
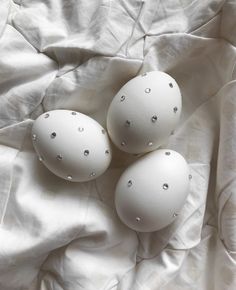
(71, 145)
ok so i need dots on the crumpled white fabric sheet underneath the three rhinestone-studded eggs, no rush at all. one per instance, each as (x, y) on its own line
(56, 235)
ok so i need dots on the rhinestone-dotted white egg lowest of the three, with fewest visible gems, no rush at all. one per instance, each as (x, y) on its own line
(151, 192)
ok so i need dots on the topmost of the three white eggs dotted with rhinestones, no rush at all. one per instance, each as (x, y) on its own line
(144, 112)
